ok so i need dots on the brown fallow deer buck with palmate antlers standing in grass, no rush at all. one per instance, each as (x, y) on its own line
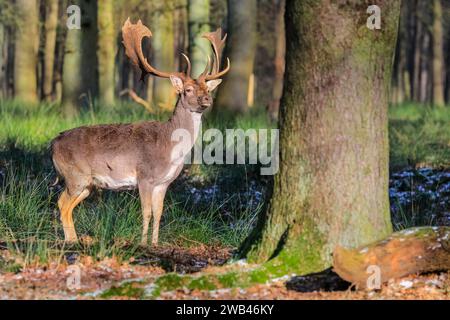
(136, 155)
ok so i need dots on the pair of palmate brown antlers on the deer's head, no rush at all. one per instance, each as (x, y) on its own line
(132, 39)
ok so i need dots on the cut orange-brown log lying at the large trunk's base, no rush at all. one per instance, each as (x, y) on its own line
(411, 251)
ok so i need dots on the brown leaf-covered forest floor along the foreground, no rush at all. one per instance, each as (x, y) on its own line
(99, 279)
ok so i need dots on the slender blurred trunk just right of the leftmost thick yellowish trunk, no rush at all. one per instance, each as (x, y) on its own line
(51, 22)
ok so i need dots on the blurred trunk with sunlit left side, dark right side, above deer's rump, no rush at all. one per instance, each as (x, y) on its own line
(80, 63)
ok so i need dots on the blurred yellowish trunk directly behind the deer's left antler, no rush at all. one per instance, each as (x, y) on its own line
(163, 43)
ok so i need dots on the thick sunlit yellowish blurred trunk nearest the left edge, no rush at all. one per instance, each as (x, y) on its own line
(26, 51)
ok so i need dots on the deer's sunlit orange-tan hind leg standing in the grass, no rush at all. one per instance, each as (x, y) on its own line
(66, 205)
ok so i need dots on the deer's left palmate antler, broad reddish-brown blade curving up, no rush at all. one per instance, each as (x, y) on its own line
(132, 39)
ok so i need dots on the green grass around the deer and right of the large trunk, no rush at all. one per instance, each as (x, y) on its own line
(29, 221)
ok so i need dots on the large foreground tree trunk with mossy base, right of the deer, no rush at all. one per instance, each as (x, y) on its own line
(332, 185)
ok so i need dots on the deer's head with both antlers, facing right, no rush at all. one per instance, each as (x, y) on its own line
(194, 94)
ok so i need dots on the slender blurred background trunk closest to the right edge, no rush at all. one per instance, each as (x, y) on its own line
(438, 55)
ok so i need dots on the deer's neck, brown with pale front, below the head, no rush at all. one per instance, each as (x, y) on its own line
(183, 118)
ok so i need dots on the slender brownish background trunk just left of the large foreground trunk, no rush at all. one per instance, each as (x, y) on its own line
(280, 51)
